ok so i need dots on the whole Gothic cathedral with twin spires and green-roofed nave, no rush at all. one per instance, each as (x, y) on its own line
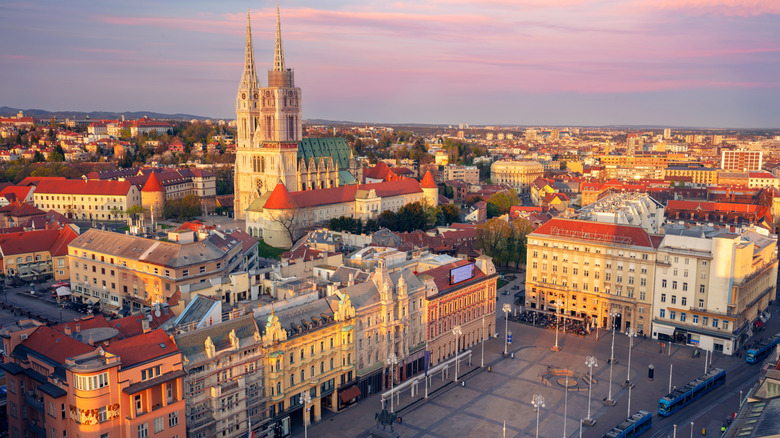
(269, 144)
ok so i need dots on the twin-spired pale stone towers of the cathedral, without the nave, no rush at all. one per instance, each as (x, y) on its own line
(269, 128)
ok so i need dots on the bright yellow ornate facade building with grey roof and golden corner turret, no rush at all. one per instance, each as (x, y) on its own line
(310, 352)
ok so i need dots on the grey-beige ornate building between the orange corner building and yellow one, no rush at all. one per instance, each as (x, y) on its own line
(224, 384)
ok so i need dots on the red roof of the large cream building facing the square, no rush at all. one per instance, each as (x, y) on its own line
(594, 231)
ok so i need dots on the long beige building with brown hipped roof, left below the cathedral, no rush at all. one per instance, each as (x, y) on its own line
(129, 271)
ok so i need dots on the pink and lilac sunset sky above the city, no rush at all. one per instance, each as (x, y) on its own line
(708, 63)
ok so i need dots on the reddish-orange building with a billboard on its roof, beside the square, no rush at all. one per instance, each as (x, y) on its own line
(460, 294)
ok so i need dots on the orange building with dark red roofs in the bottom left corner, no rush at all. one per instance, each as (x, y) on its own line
(92, 382)
